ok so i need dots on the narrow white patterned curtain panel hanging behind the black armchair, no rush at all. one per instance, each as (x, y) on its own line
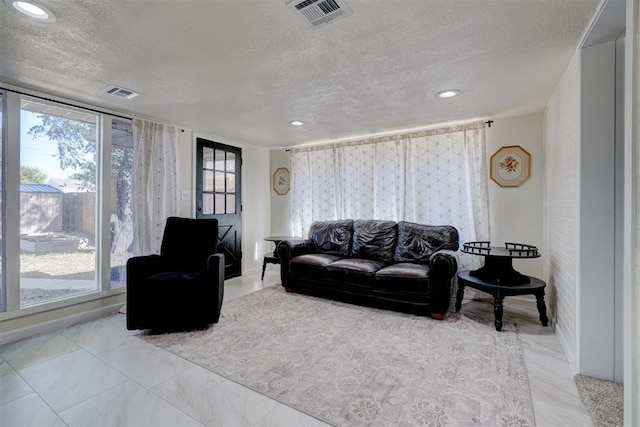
(155, 194)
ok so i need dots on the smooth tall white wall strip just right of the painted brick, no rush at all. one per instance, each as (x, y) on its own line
(596, 205)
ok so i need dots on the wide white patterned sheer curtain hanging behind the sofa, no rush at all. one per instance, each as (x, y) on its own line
(429, 177)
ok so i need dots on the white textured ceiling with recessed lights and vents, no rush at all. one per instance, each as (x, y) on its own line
(240, 70)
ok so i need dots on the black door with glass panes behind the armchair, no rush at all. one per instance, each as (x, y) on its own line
(218, 196)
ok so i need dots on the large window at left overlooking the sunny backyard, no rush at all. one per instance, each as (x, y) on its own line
(69, 233)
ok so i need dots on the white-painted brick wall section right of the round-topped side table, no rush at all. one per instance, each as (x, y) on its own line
(562, 136)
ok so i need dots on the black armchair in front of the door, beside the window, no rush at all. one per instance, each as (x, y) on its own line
(183, 287)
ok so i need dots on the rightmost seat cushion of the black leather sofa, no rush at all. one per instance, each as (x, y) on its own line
(403, 277)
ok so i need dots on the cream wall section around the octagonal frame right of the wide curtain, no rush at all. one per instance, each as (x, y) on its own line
(516, 213)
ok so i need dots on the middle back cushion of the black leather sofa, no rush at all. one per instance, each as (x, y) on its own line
(374, 239)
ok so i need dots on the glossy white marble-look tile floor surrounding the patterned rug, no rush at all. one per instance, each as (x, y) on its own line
(100, 374)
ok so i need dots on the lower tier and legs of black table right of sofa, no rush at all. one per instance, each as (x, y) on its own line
(500, 291)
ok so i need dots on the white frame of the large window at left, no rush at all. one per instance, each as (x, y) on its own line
(11, 100)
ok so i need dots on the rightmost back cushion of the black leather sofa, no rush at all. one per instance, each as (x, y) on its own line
(417, 242)
